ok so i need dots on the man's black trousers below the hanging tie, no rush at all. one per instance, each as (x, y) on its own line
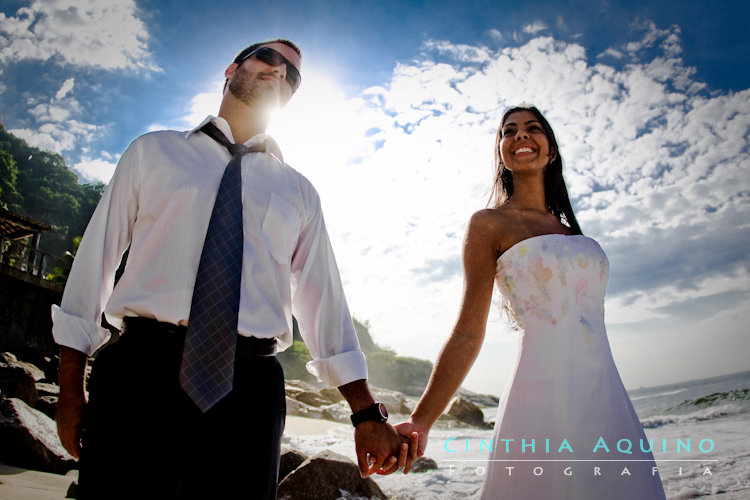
(144, 438)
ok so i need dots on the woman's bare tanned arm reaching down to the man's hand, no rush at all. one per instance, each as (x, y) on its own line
(461, 349)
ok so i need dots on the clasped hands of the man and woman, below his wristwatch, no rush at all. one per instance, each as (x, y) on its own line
(380, 449)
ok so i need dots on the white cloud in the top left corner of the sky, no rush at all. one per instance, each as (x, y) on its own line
(108, 34)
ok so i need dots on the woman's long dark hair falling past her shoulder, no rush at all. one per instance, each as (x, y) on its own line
(555, 191)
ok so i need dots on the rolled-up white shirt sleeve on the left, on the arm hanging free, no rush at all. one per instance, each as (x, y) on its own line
(76, 322)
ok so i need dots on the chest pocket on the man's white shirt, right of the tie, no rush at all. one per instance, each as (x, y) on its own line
(281, 229)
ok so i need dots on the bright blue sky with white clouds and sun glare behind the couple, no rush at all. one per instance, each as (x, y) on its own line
(394, 125)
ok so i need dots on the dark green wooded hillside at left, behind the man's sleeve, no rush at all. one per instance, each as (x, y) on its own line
(38, 184)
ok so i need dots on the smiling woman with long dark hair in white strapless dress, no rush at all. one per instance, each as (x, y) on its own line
(565, 410)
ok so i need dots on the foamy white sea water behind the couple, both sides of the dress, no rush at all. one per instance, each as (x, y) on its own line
(698, 431)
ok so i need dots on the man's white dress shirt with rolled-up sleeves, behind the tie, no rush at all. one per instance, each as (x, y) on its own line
(159, 203)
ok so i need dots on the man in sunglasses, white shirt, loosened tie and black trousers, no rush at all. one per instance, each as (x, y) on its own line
(140, 427)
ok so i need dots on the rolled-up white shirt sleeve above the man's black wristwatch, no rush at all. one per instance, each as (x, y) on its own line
(320, 306)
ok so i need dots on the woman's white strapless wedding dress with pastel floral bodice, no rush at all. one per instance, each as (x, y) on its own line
(565, 410)
